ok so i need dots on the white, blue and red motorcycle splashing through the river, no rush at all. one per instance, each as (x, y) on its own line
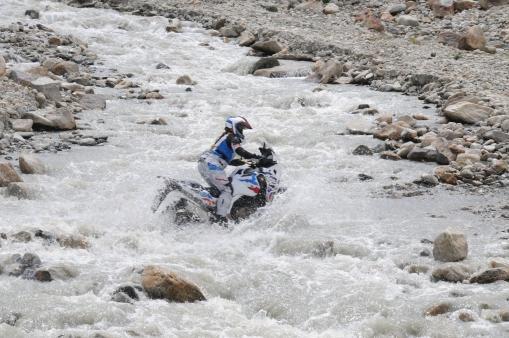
(253, 184)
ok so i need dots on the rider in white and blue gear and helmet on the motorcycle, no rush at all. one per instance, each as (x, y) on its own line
(213, 162)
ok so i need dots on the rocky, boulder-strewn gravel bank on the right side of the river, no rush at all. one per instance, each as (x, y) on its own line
(437, 50)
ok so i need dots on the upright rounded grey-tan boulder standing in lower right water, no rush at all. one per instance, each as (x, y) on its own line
(450, 247)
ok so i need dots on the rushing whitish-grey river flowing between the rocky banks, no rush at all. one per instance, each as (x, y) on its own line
(274, 275)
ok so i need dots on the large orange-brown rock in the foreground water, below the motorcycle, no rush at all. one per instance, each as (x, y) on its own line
(159, 283)
